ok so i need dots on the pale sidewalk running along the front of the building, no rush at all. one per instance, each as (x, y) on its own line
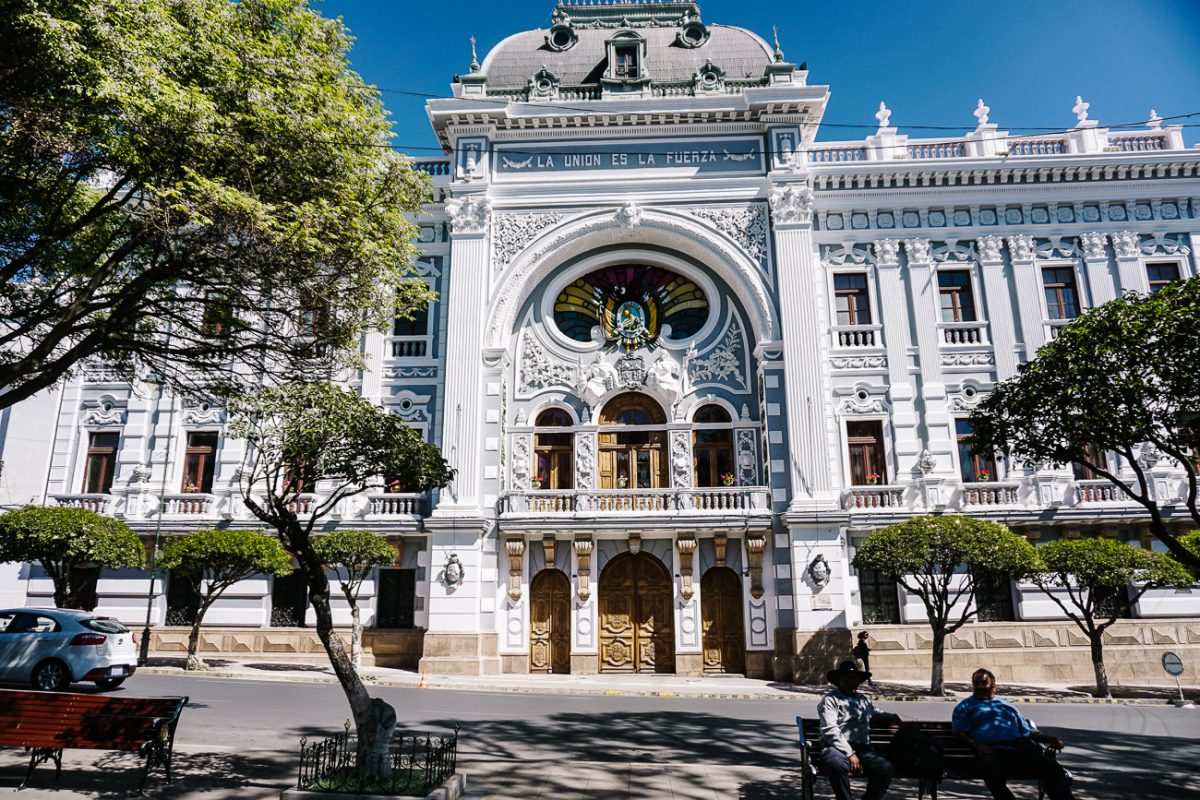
(647, 685)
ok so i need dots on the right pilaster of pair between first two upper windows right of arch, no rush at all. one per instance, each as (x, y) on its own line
(923, 284)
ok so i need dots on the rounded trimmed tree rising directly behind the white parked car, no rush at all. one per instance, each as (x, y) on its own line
(63, 539)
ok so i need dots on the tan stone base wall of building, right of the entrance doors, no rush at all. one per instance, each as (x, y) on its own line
(1018, 653)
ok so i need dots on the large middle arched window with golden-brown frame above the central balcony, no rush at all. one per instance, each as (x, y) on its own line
(633, 453)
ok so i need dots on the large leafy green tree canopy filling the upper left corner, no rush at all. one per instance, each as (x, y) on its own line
(191, 184)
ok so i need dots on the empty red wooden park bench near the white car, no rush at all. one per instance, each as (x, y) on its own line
(49, 723)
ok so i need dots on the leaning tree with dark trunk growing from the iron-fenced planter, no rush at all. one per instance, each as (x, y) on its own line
(317, 436)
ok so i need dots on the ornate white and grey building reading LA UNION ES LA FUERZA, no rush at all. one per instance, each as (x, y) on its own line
(685, 359)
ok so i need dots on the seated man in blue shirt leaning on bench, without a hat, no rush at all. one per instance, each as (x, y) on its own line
(1005, 743)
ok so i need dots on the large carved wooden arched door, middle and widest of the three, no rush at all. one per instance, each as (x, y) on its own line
(637, 616)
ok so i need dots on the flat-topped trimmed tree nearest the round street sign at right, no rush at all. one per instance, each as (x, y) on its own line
(1102, 579)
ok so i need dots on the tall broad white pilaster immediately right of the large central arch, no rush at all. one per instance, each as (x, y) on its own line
(802, 300)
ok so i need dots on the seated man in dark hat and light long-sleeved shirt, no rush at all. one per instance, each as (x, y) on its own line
(845, 731)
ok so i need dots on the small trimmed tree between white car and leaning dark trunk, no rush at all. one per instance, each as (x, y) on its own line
(214, 561)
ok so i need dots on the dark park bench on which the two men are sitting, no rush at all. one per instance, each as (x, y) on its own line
(958, 760)
